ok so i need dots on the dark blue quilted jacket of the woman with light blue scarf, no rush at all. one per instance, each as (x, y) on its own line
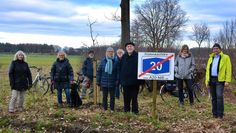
(107, 80)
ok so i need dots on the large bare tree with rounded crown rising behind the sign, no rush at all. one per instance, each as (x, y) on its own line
(160, 22)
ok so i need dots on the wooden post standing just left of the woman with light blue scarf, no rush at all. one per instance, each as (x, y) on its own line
(94, 81)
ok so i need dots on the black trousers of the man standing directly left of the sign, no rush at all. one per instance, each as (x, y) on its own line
(131, 94)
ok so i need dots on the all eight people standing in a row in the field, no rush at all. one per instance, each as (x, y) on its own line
(119, 71)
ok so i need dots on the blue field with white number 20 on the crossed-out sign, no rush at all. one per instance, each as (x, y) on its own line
(148, 63)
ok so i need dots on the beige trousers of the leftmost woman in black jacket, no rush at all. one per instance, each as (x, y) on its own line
(14, 95)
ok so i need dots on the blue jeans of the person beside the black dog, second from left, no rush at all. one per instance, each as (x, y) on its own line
(66, 86)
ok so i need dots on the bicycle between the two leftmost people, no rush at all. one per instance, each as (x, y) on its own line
(40, 81)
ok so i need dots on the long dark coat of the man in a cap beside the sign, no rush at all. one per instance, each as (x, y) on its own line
(129, 70)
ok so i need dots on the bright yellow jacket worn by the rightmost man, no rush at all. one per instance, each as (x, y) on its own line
(224, 68)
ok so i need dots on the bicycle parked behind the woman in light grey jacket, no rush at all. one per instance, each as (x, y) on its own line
(170, 87)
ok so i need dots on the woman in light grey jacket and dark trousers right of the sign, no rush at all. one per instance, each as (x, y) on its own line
(184, 67)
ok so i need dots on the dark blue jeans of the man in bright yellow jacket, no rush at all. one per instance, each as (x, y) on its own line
(217, 93)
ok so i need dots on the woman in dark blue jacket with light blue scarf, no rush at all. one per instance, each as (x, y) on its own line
(107, 78)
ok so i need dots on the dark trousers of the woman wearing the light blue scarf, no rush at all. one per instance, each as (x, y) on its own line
(105, 92)
